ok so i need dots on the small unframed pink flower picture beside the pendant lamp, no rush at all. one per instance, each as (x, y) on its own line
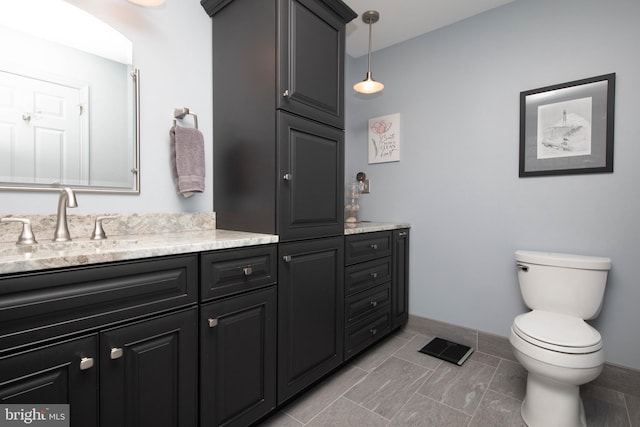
(384, 139)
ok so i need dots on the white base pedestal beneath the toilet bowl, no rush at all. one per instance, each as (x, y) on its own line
(549, 403)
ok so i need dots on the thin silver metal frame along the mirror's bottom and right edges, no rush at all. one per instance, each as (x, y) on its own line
(135, 75)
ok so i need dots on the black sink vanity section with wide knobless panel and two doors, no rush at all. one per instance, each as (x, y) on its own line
(118, 341)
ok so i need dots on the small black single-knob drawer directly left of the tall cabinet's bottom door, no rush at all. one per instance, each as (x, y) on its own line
(230, 272)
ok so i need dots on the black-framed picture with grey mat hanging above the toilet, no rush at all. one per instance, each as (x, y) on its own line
(568, 128)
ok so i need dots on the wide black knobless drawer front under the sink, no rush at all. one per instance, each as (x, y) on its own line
(35, 307)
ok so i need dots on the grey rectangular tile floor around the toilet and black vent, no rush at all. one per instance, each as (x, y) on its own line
(393, 384)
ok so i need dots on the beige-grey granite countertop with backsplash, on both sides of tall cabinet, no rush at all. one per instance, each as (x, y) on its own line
(134, 237)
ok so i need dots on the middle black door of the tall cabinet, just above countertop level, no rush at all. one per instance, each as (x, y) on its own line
(311, 176)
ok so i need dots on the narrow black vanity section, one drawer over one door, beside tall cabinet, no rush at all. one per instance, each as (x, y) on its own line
(238, 322)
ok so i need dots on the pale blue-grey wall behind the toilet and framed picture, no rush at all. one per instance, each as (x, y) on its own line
(457, 90)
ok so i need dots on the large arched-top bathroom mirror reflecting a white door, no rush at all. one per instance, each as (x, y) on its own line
(69, 101)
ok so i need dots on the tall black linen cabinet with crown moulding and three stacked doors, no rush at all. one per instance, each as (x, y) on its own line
(278, 123)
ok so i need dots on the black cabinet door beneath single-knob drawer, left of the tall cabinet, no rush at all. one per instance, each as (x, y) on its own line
(238, 358)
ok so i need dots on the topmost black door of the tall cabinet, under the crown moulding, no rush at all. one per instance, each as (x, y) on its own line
(311, 61)
